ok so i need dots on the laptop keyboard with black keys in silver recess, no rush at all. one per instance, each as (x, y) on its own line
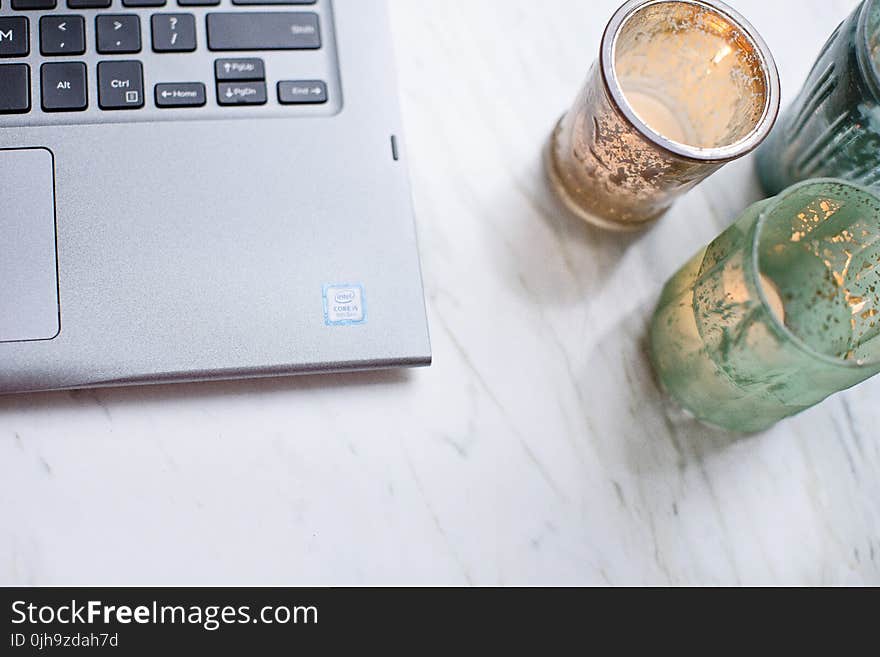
(86, 61)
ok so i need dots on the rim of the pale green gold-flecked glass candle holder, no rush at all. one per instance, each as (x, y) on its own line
(753, 271)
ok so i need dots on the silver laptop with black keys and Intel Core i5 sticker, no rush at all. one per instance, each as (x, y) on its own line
(201, 189)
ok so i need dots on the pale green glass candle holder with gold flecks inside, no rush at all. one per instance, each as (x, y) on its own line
(779, 312)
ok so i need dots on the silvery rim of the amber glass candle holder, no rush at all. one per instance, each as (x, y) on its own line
(724, 153)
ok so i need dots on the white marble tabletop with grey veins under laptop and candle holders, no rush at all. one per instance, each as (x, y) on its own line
(537, 450)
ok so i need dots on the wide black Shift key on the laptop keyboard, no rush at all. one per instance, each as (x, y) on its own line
(272, 31)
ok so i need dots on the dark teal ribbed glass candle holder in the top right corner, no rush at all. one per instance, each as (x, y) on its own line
(833, 127)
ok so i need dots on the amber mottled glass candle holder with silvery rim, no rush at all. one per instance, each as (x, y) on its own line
(680, 89)
